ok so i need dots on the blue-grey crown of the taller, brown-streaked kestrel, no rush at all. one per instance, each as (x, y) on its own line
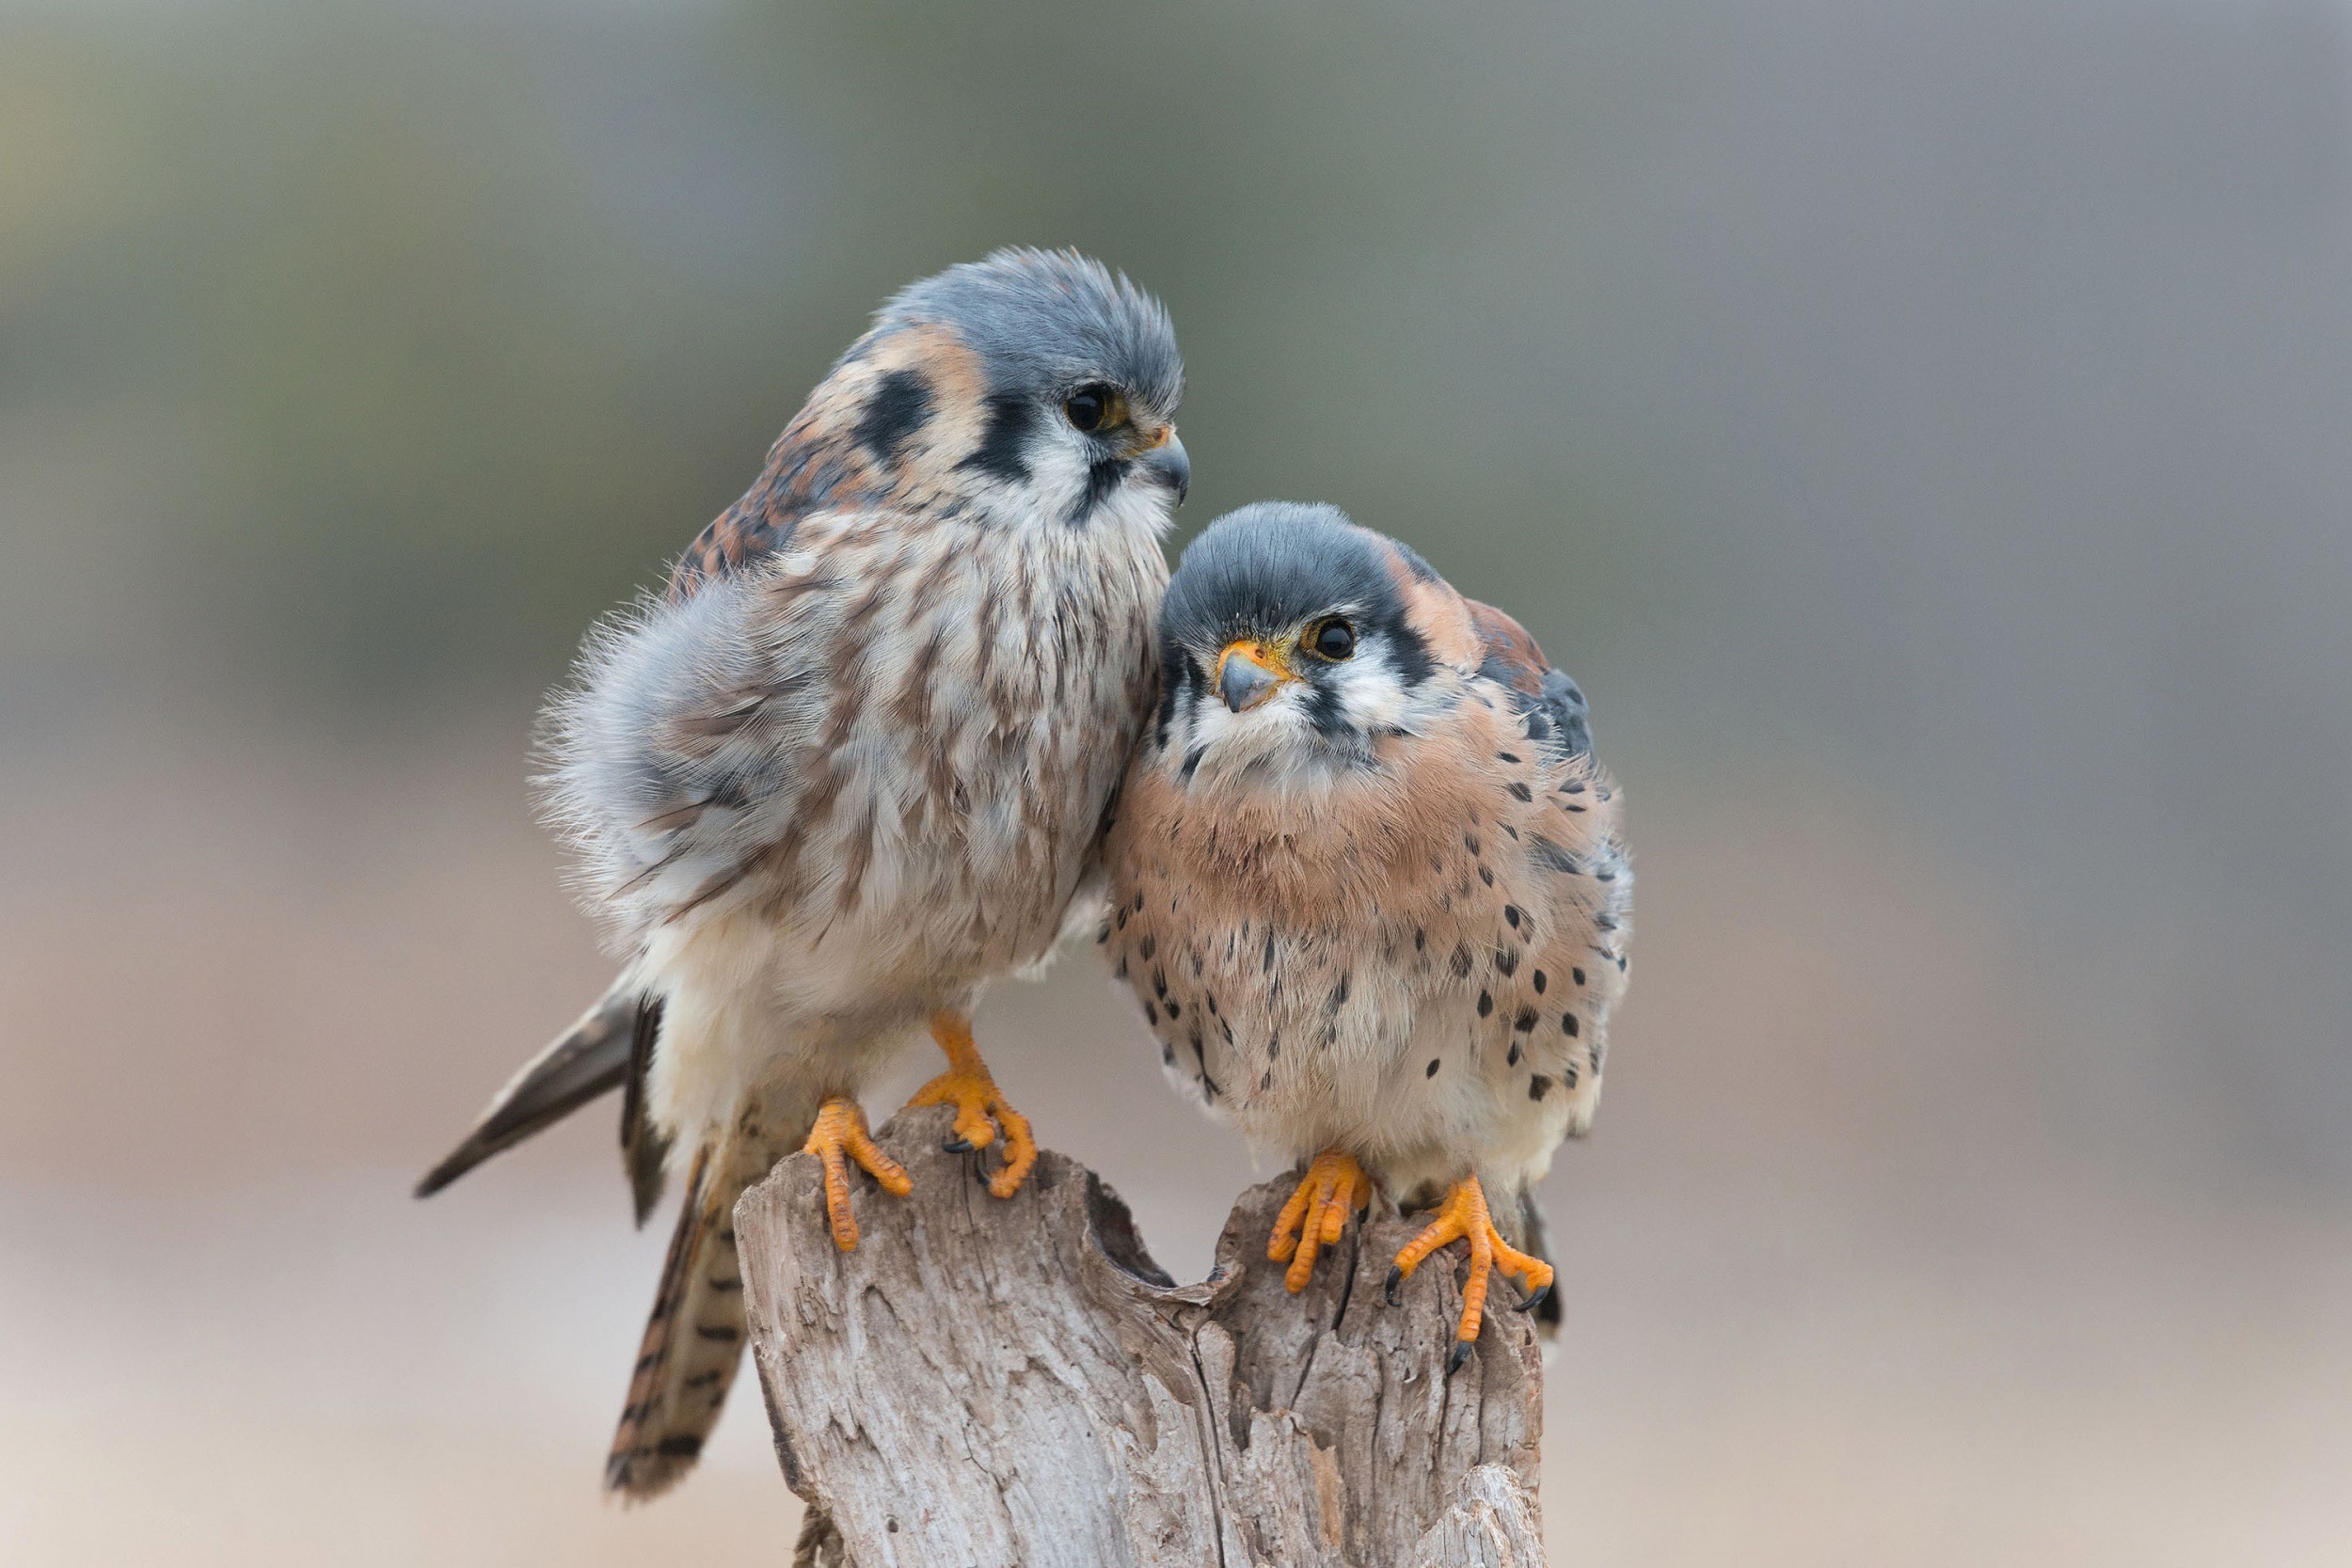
(1050, 321)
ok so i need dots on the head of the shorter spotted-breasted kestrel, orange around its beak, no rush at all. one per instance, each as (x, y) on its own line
(1292, 643)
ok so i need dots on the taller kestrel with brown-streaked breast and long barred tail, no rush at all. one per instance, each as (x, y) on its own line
(855, 765)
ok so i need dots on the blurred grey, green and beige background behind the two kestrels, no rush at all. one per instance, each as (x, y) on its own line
(1925, 431)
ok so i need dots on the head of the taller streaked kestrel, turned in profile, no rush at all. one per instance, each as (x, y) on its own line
(1031, 384)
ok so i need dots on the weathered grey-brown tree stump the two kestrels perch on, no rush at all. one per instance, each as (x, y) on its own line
(1017, 1386)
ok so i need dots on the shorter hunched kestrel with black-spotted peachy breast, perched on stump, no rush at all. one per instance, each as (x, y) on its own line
(1370, 887)
